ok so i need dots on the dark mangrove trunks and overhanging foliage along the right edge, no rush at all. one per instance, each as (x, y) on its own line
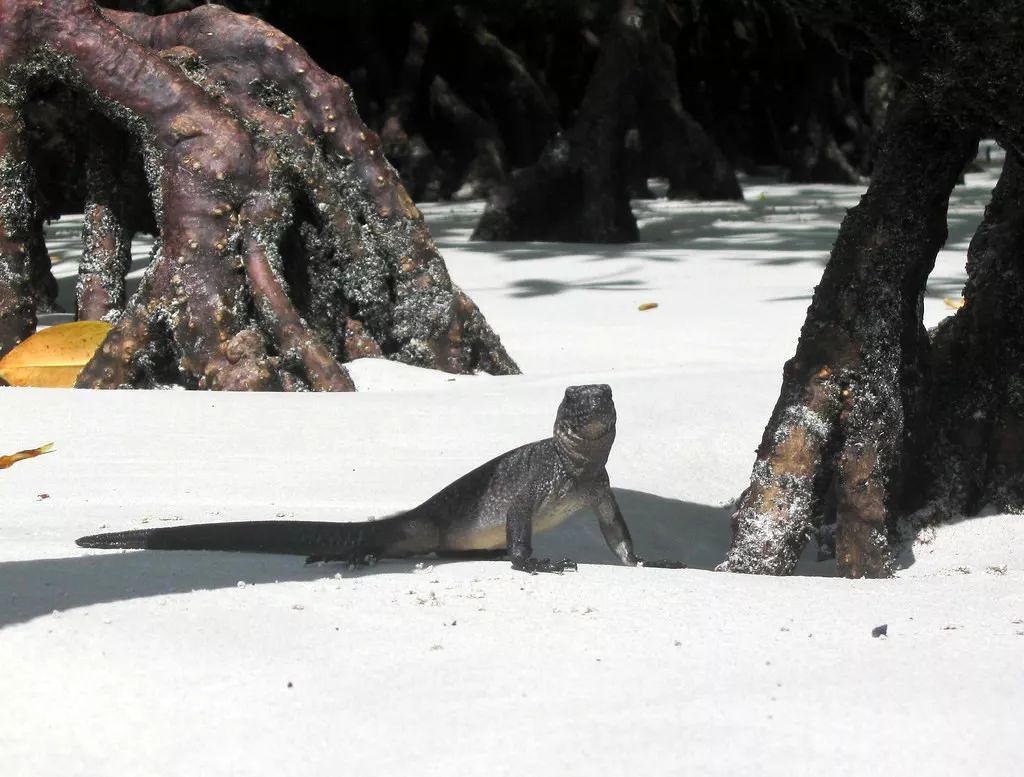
(875, 420)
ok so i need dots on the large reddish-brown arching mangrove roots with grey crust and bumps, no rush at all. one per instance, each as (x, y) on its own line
(287, 243)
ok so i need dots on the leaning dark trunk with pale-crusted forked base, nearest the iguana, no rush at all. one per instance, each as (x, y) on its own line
(856, 382)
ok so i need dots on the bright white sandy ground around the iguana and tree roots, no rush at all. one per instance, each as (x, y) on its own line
(170, 664)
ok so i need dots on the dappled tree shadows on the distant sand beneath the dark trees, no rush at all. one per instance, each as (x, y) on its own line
(777, 226)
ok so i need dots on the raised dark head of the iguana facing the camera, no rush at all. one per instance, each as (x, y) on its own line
(585, 426)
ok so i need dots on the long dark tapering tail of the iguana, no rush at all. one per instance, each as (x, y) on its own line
(382, 539)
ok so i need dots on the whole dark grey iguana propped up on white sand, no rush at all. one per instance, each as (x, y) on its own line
(495, 508)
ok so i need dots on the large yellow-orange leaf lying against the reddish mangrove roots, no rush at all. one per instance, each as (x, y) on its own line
(54, 358)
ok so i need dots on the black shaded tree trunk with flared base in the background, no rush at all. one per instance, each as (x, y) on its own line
(579, 191)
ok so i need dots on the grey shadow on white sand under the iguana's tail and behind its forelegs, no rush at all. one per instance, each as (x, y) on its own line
(663, 529)
